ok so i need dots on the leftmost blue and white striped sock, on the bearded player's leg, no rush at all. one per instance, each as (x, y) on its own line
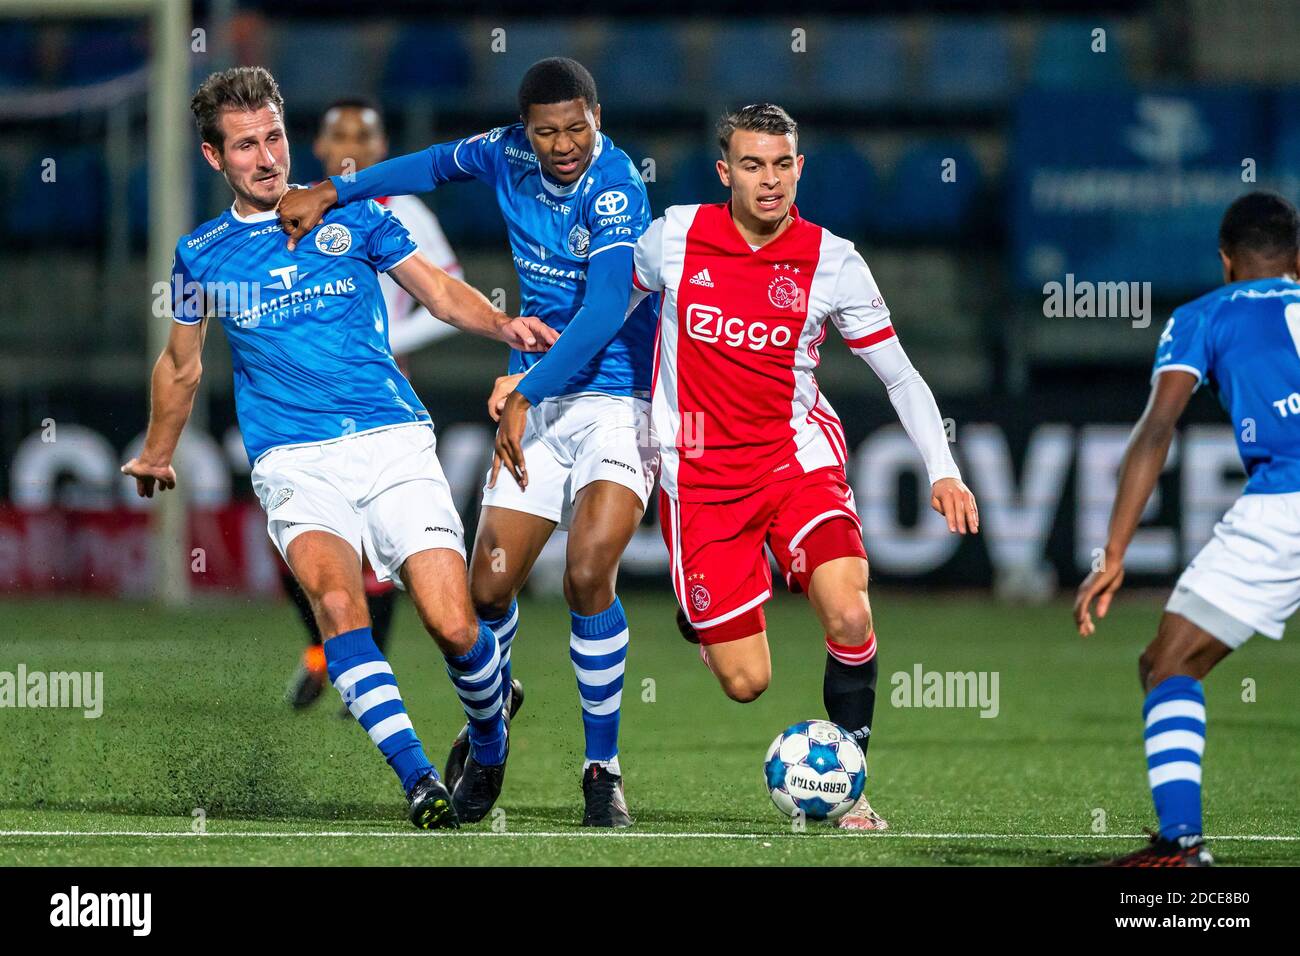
(366, 682)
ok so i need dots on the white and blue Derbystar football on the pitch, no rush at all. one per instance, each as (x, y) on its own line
(816, 768)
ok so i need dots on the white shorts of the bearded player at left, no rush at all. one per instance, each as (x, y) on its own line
(382, 491)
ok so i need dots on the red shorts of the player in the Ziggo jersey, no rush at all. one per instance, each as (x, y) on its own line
(720, 568)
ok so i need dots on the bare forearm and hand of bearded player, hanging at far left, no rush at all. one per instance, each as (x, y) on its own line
(176, 380)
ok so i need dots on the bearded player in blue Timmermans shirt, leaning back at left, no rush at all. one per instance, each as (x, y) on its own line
(343, 449)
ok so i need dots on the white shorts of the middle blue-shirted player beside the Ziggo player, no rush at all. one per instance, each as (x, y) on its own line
(571, 442)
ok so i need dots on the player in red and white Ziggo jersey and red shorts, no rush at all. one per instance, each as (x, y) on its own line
(753, 455)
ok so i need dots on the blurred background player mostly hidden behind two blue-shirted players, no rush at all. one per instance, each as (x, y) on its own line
(353, 137)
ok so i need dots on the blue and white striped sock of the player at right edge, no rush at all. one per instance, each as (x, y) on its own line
(1176, 741)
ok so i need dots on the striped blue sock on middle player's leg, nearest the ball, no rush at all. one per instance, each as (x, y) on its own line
(599, 647)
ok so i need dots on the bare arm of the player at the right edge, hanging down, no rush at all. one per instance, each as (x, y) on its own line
(1139, 471)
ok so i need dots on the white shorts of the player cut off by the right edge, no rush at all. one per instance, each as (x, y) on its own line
(1250, 572)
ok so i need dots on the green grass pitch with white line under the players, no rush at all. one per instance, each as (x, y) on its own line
(194, 720)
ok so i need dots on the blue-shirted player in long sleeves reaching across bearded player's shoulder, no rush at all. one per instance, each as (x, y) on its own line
(575, 207)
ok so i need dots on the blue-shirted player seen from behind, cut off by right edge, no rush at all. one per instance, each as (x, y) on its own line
(1245, 340)
